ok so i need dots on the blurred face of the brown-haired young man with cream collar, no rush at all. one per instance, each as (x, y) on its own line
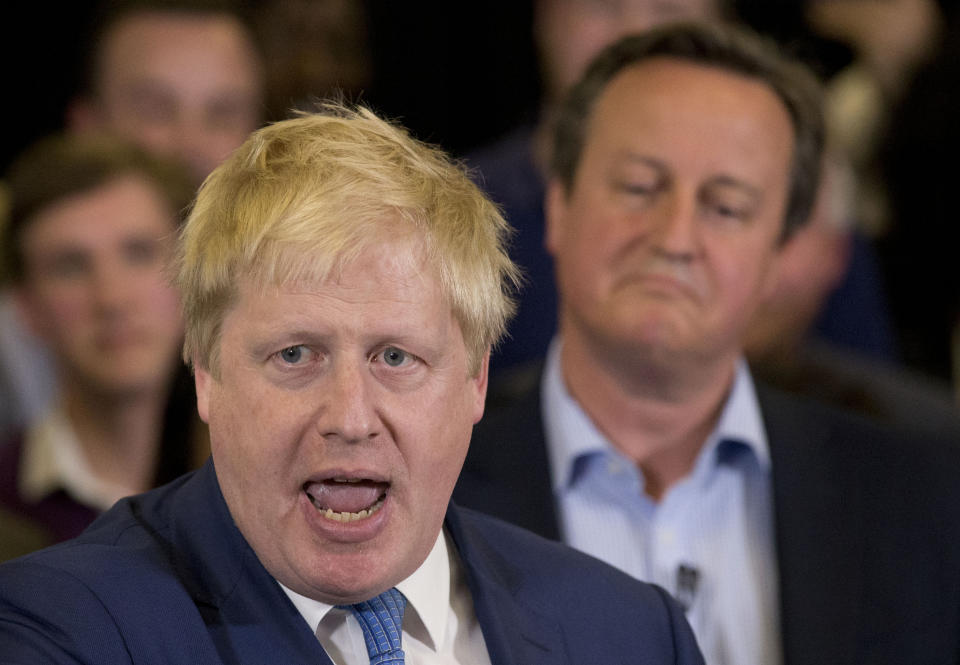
(94, 287)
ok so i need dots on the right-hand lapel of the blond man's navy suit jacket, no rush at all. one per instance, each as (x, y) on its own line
(513, 632)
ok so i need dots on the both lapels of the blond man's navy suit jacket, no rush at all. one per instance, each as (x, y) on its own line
(250, 619)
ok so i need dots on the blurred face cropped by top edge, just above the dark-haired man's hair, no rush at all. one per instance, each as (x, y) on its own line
(571, 32)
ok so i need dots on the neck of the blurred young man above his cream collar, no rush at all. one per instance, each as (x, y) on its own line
(119, 434)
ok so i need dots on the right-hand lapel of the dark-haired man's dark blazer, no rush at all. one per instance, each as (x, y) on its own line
(818, 517)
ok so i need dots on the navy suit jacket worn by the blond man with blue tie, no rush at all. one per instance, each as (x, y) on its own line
(166, 577)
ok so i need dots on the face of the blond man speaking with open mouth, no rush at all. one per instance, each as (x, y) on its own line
(340, 420)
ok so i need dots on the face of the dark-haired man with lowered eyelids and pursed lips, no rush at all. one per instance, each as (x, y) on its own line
(668, 238)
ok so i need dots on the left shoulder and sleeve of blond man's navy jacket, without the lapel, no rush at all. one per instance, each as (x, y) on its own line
(115, 590)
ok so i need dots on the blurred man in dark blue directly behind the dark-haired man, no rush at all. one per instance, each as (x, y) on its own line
(568, 34)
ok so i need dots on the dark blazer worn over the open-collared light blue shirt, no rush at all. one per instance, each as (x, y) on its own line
(867, 525)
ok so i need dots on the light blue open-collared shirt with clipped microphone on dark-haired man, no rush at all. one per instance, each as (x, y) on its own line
(709, 541)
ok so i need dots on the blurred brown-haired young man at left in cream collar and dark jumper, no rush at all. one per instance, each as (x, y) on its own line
(92, 224)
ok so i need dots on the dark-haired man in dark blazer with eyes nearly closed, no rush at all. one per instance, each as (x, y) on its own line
(683, 160)
